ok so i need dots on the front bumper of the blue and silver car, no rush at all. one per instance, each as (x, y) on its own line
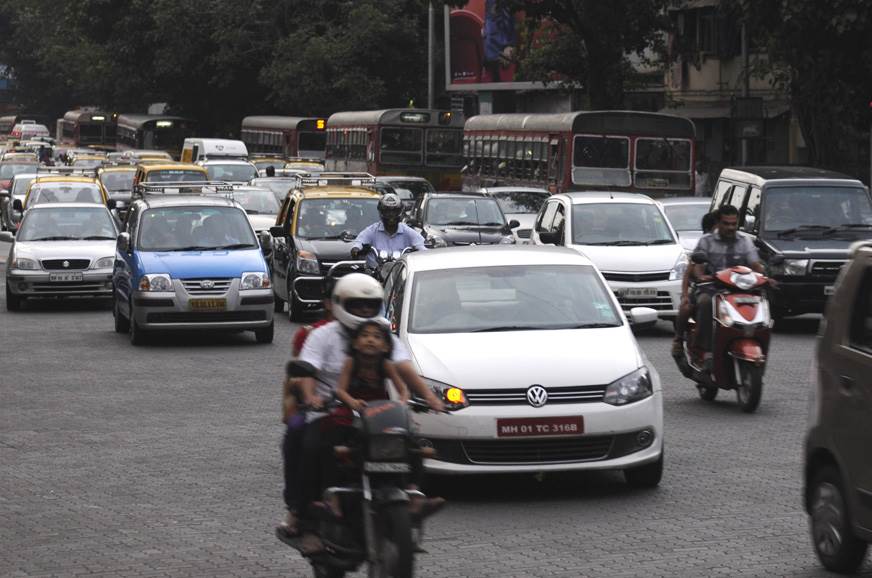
(244, 310)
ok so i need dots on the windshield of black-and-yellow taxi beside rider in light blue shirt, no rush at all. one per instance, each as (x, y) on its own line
(330, 218)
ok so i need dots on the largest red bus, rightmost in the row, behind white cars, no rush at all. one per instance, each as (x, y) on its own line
(590, 150)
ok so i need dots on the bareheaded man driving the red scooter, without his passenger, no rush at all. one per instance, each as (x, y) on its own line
(724, 248)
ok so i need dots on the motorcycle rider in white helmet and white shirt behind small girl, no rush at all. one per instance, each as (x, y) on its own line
(355, 299)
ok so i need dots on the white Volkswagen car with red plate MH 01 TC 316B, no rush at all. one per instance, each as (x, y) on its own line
(552, 372)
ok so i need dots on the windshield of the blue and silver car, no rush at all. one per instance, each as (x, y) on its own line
(195, 229)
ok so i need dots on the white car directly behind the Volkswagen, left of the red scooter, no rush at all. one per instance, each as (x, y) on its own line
(627, 237)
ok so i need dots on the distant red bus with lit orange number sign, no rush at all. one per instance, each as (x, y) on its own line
(284, 136)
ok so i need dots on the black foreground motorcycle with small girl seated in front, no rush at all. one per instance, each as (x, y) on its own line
(376, 526)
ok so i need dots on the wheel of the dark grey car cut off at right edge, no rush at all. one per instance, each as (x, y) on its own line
(830, 523)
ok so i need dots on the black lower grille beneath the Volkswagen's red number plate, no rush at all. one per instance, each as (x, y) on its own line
(538, 451)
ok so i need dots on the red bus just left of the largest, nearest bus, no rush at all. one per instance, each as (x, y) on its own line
(404, 141)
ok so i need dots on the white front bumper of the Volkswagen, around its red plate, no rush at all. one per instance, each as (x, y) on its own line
(466, 442)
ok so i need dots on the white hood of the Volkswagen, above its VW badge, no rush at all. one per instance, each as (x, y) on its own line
(521, 358)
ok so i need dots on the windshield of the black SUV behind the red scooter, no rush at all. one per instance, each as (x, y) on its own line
(797, 206)
